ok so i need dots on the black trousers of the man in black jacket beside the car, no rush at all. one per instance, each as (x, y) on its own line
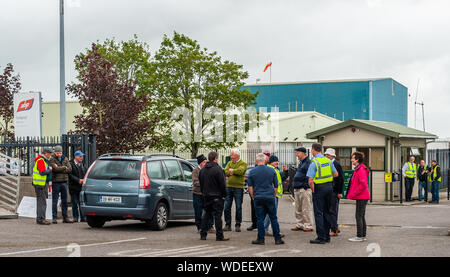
(213, 208)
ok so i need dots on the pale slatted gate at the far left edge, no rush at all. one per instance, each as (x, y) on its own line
(9, 186)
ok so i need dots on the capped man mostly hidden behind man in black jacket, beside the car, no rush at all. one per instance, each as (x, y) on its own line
(197, 196)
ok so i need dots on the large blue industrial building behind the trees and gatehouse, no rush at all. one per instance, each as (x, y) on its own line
(380, 99)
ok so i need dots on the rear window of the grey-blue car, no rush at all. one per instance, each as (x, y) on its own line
(116, 170)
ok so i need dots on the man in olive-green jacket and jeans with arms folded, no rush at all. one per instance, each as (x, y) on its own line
(235, 172)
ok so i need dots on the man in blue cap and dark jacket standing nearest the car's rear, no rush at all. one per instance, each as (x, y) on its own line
(76, 179)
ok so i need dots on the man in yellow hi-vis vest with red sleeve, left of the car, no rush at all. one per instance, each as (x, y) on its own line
(42, 175)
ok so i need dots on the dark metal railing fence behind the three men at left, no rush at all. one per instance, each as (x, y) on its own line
(26, 149)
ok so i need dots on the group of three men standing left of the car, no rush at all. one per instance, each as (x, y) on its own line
(66, 177)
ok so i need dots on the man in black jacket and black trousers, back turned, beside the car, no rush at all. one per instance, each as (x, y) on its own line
(213, 188)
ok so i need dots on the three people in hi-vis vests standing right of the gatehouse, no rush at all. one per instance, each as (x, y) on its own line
(425, 175)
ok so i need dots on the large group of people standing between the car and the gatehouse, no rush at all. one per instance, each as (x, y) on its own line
(318, 188)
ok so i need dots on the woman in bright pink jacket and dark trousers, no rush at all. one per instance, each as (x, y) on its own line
(359, 191)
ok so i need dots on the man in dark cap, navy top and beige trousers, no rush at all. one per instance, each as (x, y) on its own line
(303, 193)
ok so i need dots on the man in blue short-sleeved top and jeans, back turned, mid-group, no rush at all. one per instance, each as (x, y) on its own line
(262, 187)
